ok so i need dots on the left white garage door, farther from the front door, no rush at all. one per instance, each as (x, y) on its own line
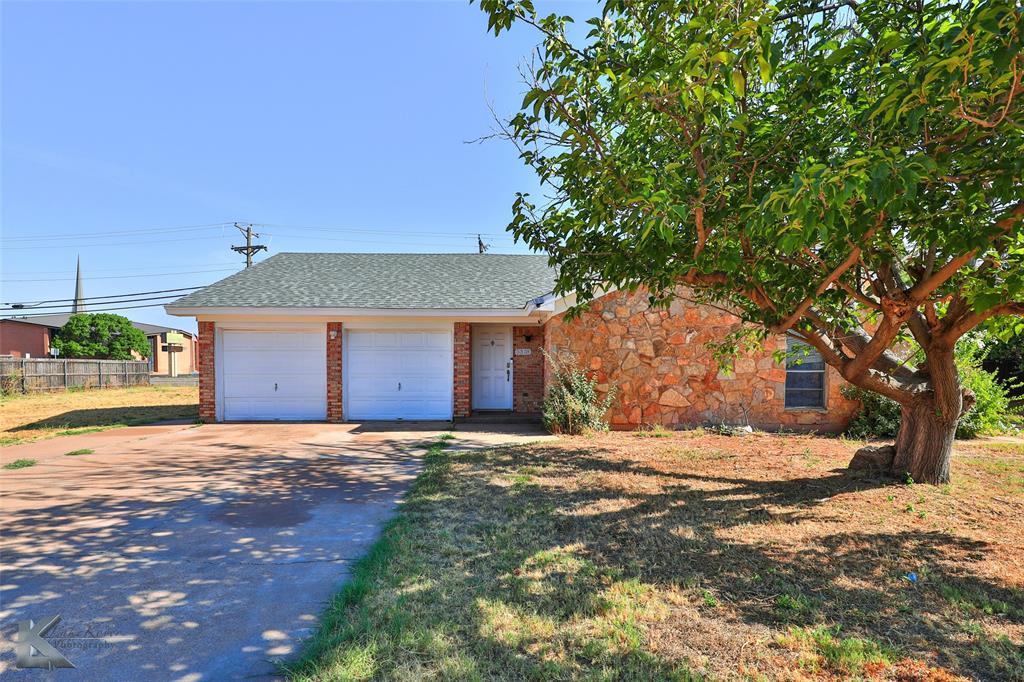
(274, 375)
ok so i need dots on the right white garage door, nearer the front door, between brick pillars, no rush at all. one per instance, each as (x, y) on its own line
(399, 374)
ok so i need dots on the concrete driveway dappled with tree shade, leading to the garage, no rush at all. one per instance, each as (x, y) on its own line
(195, 553)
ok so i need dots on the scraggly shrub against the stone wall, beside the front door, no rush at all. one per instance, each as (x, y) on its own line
(573, 404)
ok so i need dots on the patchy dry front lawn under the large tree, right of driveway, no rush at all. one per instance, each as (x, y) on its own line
(690, 557)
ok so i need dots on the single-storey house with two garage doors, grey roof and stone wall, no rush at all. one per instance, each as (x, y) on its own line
(352, 337)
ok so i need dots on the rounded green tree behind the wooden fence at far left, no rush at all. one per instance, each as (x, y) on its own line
(101, 335)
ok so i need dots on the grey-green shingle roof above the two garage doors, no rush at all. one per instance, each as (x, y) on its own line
(382, 281)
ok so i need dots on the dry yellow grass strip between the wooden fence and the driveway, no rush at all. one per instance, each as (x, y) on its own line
(26, 418)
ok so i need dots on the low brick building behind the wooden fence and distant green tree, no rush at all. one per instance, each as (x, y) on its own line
(31, 336)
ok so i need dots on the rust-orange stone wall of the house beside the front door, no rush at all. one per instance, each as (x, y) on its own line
(665, 375)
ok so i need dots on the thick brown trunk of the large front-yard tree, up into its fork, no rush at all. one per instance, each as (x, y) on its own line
(928, 424)
